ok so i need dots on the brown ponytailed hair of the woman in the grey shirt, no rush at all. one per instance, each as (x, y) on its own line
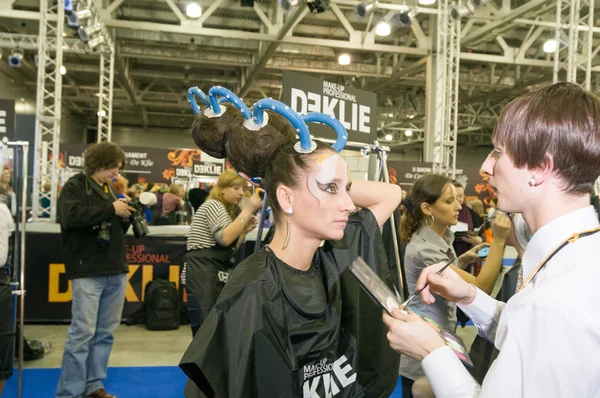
(426, 189)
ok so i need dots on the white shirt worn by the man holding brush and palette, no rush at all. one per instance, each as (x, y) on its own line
(548, 334)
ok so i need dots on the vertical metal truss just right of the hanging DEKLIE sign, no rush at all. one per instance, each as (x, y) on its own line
(446, 104)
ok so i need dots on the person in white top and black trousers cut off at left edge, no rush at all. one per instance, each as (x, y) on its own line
(7, 326)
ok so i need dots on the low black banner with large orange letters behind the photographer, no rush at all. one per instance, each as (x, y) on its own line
(48, 295)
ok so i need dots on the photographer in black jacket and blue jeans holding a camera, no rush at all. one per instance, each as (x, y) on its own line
(93, 223)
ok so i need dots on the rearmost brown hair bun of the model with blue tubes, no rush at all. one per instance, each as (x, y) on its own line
(210, 133)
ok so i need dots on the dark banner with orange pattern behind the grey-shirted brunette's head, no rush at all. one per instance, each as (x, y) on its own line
(476, 183)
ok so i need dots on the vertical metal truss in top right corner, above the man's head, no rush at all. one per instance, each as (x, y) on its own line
(574, 37)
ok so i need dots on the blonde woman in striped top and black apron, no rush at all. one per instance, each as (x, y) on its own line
(217, 228)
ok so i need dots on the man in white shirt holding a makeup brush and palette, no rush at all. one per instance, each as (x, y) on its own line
(545, 161)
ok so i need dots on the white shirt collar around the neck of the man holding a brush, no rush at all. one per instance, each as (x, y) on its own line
(556, 231)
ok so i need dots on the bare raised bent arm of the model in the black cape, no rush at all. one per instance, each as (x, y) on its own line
(381, 198)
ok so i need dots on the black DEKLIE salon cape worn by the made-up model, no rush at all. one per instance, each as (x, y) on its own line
(243, 348)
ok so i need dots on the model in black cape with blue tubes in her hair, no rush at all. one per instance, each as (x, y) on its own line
(287, 322)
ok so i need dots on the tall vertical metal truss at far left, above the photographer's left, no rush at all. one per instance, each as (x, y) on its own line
(48, 106)
